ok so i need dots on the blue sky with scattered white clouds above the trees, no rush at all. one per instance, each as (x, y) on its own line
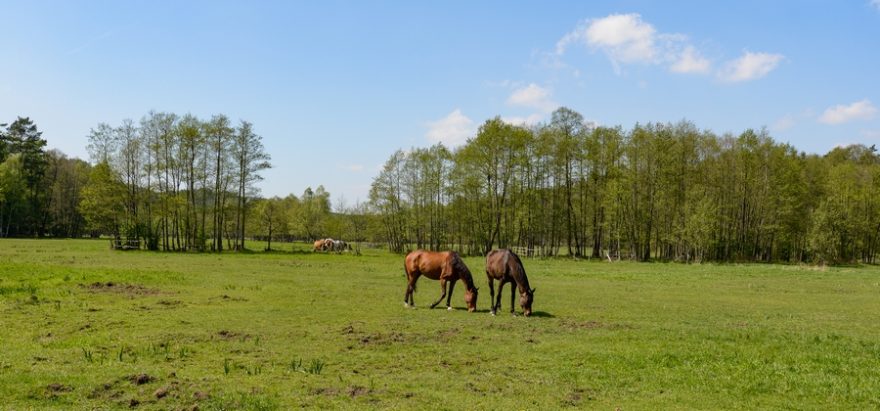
(335, 87)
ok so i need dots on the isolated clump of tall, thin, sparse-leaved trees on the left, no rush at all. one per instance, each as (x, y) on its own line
(174, 182)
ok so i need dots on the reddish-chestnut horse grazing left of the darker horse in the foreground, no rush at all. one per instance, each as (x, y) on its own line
(445, 266)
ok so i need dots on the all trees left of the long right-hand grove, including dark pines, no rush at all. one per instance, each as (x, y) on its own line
(167, 182)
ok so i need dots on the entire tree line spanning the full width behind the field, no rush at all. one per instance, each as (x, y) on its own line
(669, 192)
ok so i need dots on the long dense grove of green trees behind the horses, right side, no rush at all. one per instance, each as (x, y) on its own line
(668, 192)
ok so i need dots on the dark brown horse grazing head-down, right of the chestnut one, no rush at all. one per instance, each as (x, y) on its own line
(504, 265)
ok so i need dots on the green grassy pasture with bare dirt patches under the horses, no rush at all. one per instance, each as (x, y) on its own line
(82, 326)
